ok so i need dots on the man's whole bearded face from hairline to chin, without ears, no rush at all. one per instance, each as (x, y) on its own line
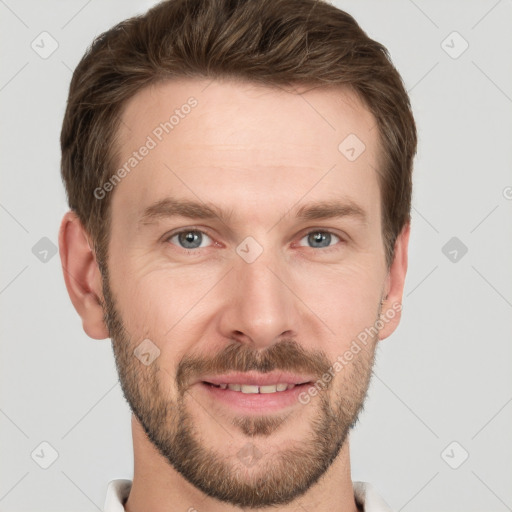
(258, 298)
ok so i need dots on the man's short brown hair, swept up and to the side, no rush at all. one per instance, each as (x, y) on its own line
(270, 42)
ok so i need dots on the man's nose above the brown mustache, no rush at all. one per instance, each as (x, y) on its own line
(260, 307)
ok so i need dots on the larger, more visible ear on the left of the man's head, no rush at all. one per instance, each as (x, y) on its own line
(82, 275)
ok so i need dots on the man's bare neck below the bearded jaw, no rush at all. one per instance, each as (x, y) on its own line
(158, 487)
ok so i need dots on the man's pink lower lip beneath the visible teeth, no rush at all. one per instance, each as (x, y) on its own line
(255, 402)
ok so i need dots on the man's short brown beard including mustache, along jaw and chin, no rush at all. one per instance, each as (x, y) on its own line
(249, 480)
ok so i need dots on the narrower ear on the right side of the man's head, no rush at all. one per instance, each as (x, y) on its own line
(394, 286)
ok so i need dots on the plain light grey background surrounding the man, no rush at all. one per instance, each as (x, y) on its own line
(443, 377)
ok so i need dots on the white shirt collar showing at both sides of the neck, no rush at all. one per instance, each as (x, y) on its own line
(364, 493)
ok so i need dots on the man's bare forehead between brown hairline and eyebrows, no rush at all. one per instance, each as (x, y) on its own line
(248, 147)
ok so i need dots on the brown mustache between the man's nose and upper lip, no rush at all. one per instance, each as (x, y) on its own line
(286, 355)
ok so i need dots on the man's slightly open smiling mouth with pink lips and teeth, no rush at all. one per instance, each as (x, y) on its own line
(251, 393)
